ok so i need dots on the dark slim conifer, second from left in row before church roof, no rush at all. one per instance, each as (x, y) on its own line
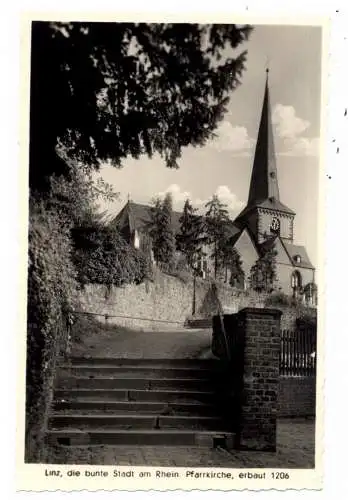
(190, 238)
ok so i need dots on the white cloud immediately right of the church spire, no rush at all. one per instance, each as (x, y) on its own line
(287, 124)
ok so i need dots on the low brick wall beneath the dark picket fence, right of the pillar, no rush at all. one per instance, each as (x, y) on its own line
(296, 397)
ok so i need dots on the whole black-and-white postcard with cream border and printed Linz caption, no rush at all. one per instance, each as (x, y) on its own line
(173, 329)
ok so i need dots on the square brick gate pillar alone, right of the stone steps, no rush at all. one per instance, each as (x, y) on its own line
(260, 331)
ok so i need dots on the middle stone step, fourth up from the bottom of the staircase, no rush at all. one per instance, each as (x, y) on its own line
(107, 395)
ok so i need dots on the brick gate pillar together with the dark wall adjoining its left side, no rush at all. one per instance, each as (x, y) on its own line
(253, 338)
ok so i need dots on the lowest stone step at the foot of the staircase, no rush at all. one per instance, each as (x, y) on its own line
(153, 437)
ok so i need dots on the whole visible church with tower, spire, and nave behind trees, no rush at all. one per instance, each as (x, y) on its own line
(264, 219)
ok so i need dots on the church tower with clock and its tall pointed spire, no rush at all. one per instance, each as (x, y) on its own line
(264, 215)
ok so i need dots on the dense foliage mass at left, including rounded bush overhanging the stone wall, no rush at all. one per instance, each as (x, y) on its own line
(57, 266)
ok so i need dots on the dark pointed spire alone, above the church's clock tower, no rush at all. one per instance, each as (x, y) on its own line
(264, 182)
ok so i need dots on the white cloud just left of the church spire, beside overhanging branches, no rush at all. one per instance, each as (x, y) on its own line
(232, 138)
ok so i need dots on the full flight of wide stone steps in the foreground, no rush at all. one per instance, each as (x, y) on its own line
(171, 402)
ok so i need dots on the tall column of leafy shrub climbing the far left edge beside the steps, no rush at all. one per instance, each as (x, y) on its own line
(51, 294)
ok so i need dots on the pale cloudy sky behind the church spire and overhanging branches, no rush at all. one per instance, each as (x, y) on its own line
(223, 166)
